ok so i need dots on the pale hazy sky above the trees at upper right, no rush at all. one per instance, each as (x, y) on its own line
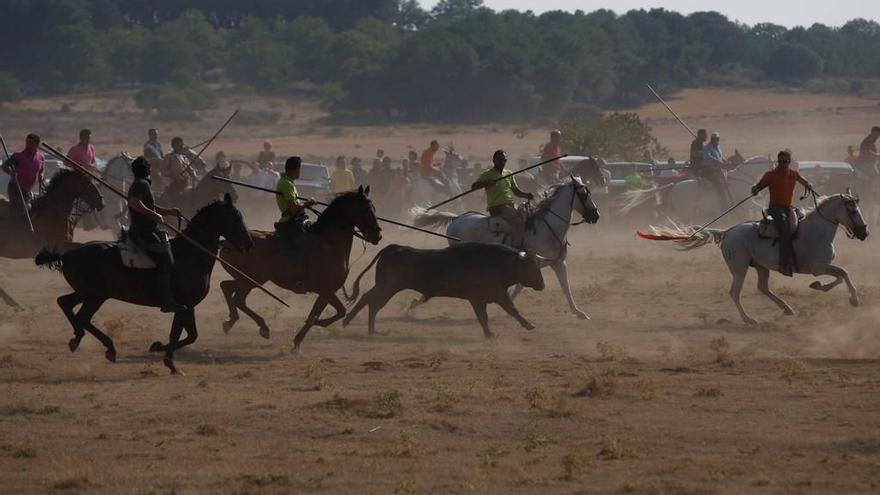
(785, 12)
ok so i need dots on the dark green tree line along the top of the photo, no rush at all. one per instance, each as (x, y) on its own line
(392, 60)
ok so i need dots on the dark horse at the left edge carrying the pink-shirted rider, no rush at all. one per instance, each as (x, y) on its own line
(68, 196)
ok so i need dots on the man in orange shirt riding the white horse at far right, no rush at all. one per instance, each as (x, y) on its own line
(781, 182)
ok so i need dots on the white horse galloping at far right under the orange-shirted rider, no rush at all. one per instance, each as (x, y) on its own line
(813, 247)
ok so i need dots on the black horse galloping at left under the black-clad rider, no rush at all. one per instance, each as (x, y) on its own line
(96, 274)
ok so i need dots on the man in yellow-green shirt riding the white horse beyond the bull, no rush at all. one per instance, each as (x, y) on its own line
(500, 190)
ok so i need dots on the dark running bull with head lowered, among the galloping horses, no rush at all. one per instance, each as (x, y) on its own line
(478, 272)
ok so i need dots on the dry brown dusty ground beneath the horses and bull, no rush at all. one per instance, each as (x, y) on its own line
(663, 391)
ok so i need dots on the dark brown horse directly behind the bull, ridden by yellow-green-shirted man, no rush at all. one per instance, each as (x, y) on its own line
(327, 247)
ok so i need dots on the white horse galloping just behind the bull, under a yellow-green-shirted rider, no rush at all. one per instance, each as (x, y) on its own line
(546, 228)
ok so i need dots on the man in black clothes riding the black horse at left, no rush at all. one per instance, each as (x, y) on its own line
(146, 216)
